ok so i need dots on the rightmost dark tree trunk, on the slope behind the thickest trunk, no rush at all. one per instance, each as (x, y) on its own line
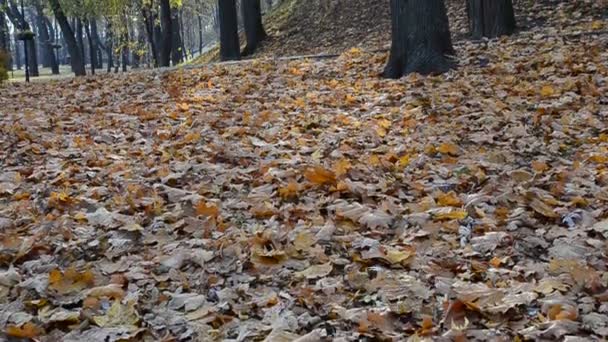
(490, 18)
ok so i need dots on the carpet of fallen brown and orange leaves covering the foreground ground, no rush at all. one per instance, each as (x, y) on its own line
(312, 200)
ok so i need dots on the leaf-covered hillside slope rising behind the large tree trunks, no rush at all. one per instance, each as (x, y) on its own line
(302, 27)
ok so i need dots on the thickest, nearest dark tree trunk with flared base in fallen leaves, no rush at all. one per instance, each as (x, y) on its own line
(421, 39)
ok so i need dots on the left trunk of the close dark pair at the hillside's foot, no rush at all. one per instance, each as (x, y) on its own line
(229, 36)
